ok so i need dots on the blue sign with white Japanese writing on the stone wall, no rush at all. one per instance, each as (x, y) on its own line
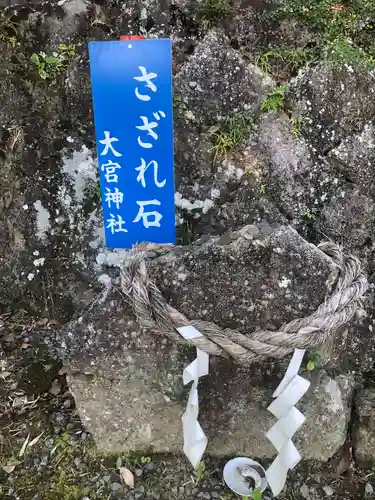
(132, 94)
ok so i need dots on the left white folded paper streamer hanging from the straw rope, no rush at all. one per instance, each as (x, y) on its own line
(195, 440)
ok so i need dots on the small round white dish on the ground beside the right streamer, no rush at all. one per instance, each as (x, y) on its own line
(236, 481)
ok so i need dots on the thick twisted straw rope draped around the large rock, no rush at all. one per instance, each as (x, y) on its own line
(153, 312)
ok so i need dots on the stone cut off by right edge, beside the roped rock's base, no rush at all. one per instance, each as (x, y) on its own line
(365, 436)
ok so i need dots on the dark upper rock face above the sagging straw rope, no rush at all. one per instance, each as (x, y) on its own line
(257, 266)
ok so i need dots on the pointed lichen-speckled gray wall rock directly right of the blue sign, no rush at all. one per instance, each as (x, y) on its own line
(214, 84)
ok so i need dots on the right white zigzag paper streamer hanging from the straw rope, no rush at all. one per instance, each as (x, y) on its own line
(289, 392)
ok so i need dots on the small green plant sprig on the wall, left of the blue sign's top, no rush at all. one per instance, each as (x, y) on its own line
(50, 66)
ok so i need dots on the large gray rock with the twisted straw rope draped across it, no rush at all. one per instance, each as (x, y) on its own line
(127, 383)
